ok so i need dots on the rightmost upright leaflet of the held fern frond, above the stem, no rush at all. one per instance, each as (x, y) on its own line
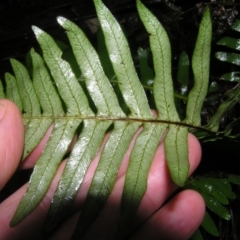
(200, 65)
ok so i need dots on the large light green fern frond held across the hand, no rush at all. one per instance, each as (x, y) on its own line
(55, 97)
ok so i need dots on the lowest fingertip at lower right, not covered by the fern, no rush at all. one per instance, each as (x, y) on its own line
(178, 219)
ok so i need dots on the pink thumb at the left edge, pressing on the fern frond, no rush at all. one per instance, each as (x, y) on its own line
(11, 140)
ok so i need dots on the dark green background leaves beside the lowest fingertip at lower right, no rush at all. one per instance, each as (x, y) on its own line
(217, 192)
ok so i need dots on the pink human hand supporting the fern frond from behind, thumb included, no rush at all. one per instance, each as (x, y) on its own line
(174, 218)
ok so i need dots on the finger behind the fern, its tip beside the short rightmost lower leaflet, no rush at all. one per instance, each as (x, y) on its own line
(159, 188)
